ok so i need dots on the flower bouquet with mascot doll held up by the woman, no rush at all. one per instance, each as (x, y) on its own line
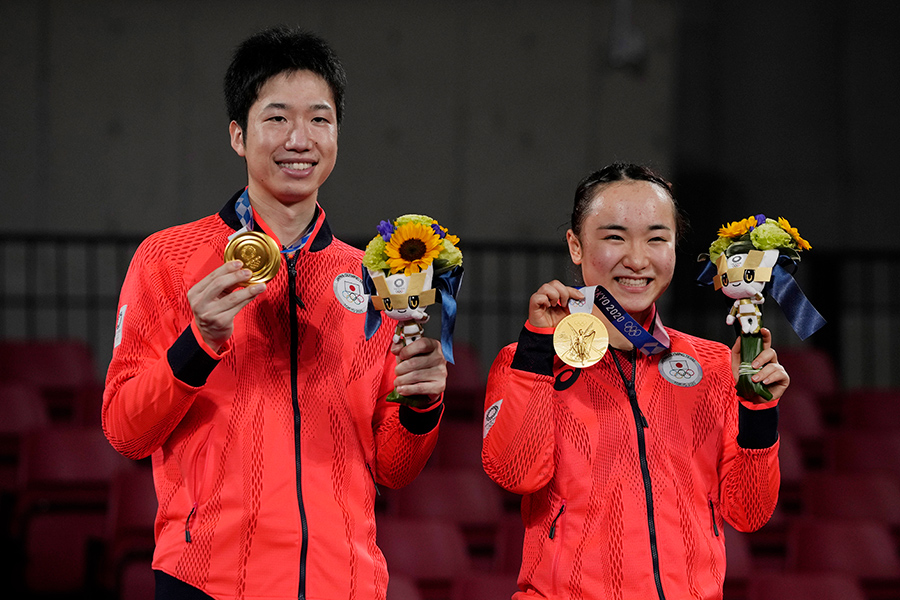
(746, 256)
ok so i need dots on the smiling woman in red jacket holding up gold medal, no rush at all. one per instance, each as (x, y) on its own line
(628, 467)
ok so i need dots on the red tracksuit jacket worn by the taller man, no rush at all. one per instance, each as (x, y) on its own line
(265, 455)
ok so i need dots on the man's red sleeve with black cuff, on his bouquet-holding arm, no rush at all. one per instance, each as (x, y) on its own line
(404, 437)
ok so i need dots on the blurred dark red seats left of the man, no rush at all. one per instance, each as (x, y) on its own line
(77, 517)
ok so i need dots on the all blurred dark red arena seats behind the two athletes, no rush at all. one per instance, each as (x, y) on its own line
(77, 518)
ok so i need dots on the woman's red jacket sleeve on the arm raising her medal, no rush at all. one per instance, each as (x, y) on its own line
(517, 450)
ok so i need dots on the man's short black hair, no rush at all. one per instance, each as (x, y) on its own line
(275, 51)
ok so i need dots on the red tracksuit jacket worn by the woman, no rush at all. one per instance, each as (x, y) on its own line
(627, 477)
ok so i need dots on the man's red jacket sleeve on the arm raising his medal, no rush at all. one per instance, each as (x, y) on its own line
(158, 365)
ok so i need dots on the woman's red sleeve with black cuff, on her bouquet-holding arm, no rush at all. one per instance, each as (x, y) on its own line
(749, 473)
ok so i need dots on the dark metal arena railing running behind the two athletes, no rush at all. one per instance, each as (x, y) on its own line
(67, 286)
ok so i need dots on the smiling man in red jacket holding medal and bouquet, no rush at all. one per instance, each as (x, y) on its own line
(250, 382)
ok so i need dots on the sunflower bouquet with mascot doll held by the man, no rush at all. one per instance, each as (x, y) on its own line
(412, 262)
